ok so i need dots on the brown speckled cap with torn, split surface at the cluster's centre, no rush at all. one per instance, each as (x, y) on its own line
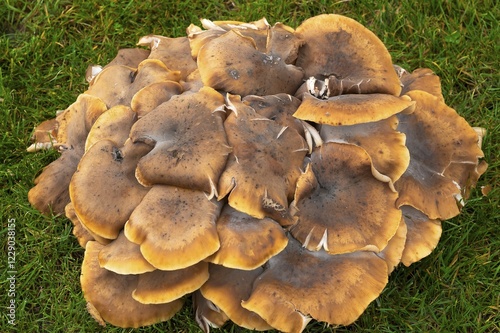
(263, 168)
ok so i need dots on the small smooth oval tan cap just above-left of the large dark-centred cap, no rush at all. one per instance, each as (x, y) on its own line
(149, 97)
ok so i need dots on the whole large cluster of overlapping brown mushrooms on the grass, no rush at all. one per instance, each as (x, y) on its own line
(273, 174)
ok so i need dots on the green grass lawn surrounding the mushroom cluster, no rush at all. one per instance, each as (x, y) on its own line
(45, 47)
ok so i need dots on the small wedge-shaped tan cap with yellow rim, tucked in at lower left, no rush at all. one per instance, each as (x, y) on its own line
(124, 257)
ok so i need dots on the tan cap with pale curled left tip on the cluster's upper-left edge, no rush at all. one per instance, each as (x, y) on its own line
(175, 53)
